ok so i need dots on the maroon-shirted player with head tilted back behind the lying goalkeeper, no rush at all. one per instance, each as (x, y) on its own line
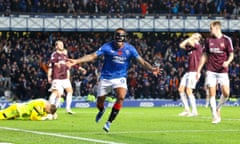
(59, 76)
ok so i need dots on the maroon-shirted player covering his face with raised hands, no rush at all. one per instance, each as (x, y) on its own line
(188, 82)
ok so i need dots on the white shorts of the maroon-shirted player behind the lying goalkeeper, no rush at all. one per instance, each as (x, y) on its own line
(60, 85)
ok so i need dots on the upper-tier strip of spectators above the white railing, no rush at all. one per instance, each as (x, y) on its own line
(228, 8)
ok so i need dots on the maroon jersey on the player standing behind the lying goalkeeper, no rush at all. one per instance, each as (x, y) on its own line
(58, 72)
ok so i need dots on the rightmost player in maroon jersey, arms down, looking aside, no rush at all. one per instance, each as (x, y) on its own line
(218, 54)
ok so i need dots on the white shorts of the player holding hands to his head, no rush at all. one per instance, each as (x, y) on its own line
(189, 80)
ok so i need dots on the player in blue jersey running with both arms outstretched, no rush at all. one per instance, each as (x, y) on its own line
(117, 56)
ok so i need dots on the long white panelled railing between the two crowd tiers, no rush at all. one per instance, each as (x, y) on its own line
(57, 22)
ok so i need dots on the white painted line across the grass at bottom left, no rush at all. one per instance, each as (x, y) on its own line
(60, 135)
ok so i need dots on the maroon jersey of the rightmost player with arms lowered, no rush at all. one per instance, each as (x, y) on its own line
(218, 51)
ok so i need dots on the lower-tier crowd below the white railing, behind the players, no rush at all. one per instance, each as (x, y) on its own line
(24, 57)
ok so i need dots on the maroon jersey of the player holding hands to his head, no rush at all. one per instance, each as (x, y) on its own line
(194, 57)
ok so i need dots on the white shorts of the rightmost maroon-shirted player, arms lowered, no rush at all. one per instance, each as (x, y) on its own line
(212, 78)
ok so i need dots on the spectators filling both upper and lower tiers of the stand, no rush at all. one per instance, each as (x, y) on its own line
(24, 55)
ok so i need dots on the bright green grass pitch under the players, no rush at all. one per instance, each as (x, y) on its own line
(159, 125)
